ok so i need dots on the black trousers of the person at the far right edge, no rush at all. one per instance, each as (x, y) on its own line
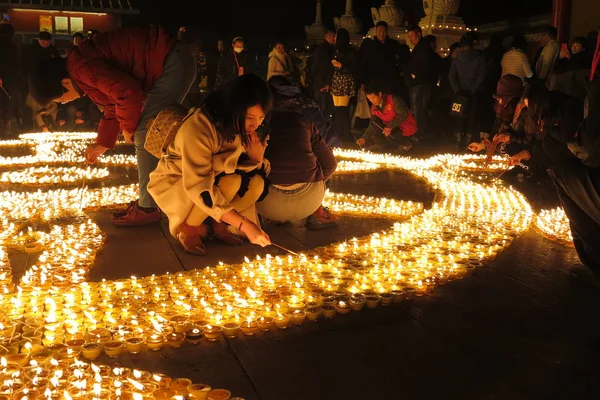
(578, 188)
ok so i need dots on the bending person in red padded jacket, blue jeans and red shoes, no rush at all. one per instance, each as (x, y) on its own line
(132, 74)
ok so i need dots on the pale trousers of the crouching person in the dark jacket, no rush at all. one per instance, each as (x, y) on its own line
(284, 206)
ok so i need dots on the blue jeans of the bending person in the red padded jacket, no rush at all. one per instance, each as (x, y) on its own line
(179, 72)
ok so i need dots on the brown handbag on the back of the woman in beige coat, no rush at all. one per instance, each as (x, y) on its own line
(162, 129)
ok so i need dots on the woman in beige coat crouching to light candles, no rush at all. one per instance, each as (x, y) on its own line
(215, 168)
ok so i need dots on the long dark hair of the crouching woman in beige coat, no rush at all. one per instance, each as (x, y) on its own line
(226, 108)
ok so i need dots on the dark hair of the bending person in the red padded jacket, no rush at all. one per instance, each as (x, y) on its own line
(45, 82)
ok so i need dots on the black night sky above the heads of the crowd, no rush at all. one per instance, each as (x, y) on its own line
(262, 21)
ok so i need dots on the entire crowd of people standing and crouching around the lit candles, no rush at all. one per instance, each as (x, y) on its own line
(218, 173)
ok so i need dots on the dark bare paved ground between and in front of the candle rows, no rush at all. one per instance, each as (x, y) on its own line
(520, 328)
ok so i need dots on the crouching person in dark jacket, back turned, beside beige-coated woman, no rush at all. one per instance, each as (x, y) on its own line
(301, 163)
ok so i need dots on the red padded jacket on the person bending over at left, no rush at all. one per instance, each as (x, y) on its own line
(116, 70)
